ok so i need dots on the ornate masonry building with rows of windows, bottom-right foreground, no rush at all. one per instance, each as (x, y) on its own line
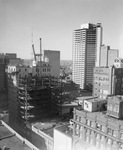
(97, 130)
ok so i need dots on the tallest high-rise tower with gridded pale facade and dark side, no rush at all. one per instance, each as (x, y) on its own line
(87, 43)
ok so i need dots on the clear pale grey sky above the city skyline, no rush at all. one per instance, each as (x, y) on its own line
(23, 22)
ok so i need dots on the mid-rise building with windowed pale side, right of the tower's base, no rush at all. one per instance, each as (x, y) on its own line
(107, 81)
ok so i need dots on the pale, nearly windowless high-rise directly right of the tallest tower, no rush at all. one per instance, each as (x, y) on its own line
(108, 56)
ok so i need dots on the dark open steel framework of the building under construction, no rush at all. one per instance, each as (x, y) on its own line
(33, 98)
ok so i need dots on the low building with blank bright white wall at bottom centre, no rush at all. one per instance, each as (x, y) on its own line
(54, 130)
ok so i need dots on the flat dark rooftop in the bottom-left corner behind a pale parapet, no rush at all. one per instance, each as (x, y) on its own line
(10, 141)
